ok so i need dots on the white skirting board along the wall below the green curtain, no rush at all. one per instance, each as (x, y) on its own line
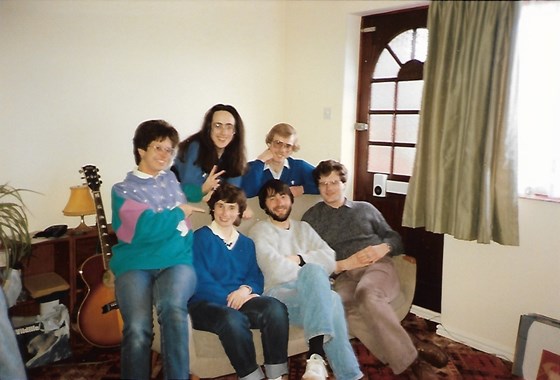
(459, 336)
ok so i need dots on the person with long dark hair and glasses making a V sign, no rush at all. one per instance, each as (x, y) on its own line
(214, 154)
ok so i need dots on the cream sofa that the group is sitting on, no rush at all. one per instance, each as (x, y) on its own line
(207, 356)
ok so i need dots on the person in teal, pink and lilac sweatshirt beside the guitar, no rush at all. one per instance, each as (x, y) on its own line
(152, 260)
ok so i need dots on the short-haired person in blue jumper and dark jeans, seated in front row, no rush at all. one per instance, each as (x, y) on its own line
(228, 300)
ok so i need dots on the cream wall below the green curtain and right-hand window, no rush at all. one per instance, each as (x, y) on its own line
(487, 287)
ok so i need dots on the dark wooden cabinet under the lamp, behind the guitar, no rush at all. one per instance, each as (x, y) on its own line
(63, 256)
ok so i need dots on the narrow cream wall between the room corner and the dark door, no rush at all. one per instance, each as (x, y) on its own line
(322, 72)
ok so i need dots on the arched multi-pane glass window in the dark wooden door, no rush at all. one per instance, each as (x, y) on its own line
(396, 94)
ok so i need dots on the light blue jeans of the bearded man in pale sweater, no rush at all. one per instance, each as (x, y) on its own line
(312, 304)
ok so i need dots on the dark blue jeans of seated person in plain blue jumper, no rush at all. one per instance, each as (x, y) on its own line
(233, 328)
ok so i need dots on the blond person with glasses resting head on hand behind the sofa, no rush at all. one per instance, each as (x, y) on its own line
(276, 163)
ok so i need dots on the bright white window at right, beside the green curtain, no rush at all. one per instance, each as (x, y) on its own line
(538, 110)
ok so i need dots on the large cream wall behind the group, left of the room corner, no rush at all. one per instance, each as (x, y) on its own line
(77, 77)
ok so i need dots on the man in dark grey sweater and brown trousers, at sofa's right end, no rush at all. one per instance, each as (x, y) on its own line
(366, 277)
